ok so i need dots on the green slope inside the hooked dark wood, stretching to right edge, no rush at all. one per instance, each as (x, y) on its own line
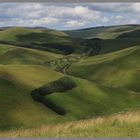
(89, 99)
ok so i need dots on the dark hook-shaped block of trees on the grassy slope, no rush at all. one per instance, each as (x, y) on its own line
(61, 85)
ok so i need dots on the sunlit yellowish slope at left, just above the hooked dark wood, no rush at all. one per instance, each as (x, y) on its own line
(37, 75)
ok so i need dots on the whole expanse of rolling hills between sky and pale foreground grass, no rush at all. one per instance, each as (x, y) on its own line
(49, 77)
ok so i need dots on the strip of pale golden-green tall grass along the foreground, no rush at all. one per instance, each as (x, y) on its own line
(121, 125)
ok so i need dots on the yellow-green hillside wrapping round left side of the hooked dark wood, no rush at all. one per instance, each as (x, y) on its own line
(17, 108)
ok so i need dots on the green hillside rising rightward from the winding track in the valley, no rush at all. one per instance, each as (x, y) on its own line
(119, 69)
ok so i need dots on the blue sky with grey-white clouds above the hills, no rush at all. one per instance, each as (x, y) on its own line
(68, 16)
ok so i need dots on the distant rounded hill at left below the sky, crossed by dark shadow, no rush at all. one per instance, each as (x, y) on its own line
(43, 39)
